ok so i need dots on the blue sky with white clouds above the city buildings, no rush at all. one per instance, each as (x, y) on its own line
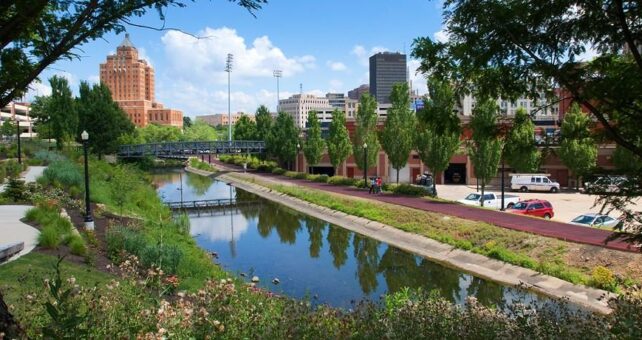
(320, 46)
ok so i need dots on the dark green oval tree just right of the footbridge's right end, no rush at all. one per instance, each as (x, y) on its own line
(284, 138)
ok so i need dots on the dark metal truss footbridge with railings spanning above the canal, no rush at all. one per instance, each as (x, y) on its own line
(187, 149)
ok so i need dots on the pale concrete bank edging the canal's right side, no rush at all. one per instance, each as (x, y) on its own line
(494, 270)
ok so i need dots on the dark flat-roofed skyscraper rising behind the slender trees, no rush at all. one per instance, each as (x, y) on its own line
(386, 69)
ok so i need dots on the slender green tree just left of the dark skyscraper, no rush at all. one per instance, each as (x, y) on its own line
(366, 132)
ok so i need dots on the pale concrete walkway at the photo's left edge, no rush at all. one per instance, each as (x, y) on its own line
(11, 229)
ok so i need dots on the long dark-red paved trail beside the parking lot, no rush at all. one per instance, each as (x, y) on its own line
(559, 230)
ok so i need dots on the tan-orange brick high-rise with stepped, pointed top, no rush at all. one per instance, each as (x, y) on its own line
(131, 82)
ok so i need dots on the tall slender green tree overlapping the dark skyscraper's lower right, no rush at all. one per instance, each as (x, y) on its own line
(396, 137)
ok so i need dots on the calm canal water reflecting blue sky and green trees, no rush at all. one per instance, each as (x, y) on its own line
(313, 259)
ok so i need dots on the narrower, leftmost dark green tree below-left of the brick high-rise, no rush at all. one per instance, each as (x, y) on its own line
(58, 112)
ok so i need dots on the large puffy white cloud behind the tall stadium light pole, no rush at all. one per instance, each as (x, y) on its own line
(204, 59)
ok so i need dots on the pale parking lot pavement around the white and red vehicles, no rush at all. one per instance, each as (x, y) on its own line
(567, 205)
